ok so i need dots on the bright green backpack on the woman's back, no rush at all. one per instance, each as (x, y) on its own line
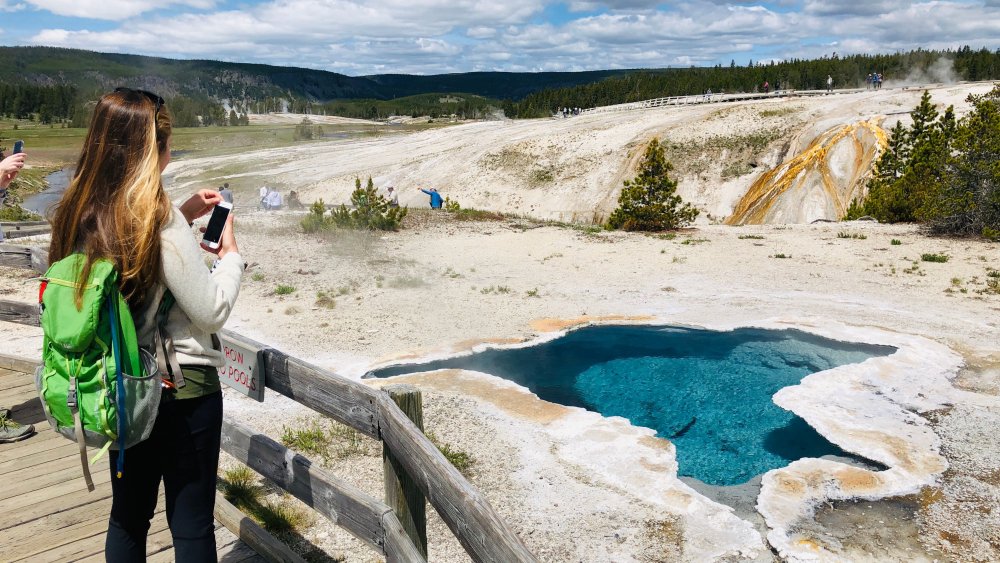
(97, 386)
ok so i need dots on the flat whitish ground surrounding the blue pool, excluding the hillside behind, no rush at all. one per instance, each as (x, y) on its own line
(568, 480)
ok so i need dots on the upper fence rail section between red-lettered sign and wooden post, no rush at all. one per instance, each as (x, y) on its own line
(326, 393)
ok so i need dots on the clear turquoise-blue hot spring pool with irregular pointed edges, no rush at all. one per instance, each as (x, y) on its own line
(707, 392)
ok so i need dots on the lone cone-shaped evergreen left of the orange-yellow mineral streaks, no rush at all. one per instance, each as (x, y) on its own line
(649, 202)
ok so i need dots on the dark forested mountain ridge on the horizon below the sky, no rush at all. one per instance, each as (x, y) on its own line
(89, 70)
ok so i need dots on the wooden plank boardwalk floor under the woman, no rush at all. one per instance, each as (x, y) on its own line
(46, 513)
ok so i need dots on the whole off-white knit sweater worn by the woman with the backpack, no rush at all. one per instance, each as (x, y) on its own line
(204, 299)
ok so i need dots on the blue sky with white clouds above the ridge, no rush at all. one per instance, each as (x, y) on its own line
(359, 37)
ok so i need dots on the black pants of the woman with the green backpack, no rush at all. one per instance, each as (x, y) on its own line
(183, 450)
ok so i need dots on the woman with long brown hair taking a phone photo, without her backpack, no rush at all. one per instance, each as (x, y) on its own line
(115, 208)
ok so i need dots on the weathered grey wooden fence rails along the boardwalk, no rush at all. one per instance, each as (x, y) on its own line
(374, 413)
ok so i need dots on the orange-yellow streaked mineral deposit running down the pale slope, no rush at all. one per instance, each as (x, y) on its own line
(818, 183)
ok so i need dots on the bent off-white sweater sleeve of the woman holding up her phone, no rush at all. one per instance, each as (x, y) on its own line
(207, 298)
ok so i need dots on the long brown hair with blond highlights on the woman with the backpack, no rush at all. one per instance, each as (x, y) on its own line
(115, 206)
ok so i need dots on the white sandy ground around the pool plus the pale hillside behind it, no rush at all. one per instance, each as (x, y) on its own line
(579, 487)
